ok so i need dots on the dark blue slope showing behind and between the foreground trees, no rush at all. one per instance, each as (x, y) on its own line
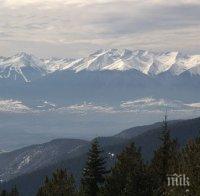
(148, 140)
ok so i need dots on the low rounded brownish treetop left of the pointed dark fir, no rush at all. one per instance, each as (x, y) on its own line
(61, 184)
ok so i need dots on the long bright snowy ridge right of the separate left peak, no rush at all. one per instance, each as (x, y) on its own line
(147, 62)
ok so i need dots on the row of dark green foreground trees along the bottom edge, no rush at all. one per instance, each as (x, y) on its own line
(174, 170)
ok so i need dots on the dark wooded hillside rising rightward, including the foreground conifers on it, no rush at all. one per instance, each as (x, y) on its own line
(131, 171)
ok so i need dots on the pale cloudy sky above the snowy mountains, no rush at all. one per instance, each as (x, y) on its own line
(73, 28)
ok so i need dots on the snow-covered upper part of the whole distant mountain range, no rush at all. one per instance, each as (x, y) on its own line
(27, 67)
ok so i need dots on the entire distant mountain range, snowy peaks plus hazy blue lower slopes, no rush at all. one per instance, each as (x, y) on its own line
(104, 76)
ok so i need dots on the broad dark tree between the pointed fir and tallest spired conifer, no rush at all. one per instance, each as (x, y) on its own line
(129, 175)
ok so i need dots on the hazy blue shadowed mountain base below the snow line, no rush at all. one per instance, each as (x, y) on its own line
(108, 87)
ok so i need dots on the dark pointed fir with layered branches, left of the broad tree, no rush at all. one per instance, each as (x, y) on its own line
(94, 171)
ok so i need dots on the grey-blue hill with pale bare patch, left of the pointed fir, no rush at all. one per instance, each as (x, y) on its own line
(34, 157)
